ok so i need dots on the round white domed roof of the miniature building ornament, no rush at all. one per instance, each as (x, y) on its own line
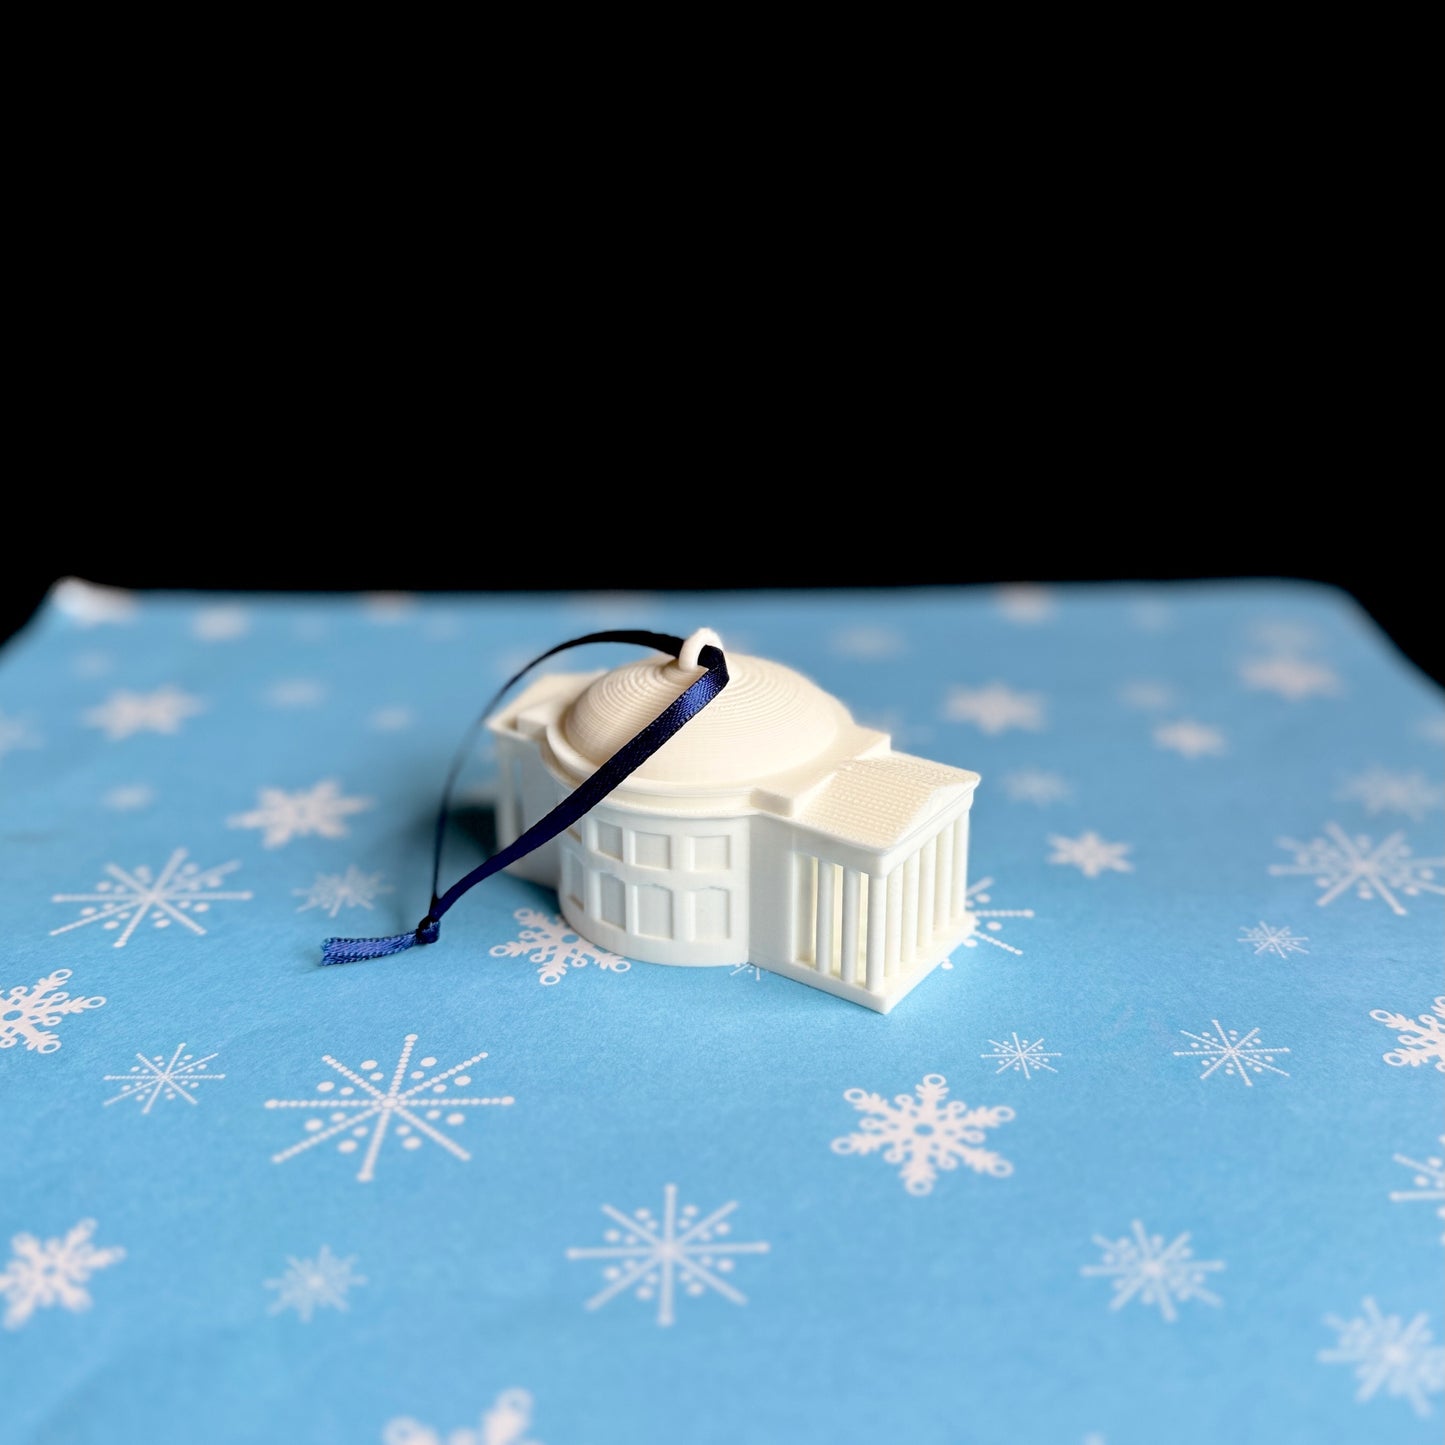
(768, 720)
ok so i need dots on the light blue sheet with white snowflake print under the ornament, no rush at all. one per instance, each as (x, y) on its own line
(1157, 1160)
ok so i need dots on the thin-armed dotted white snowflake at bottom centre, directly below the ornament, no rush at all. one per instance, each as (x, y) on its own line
(655, 1256)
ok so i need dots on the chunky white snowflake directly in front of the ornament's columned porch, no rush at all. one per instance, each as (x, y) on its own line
(924, 1135)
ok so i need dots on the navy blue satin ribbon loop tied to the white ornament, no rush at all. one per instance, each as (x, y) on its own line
(628, 759)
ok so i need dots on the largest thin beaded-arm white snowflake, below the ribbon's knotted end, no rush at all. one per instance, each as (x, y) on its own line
(359, 1109)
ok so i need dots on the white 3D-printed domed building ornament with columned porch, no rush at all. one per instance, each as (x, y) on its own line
(771, 830)
